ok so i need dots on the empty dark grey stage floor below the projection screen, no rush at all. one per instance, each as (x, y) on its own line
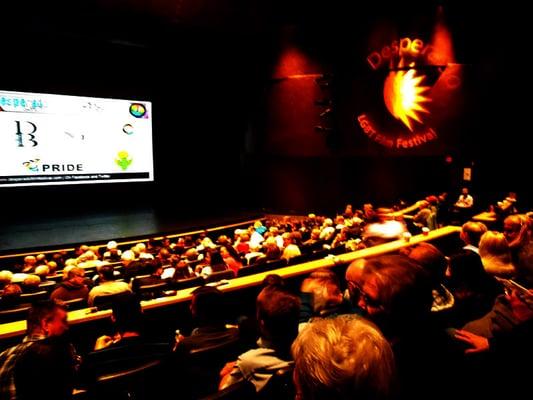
(67, 230)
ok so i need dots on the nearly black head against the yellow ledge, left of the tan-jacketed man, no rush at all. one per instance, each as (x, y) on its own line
(207, 306)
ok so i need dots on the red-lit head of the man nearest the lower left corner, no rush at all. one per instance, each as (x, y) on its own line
(47, 318)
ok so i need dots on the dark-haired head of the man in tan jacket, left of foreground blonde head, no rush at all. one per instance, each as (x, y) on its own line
(277, 314)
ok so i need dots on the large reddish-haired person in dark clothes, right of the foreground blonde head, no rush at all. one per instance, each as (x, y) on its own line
(397, 296)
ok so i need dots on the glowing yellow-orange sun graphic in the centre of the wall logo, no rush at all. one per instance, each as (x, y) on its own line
(404, 95)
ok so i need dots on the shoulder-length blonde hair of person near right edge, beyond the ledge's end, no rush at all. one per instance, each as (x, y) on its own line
(495, 254)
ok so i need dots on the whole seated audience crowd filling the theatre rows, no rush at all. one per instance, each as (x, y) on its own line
(421, 322)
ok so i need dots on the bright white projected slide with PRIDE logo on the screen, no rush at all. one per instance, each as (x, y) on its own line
(48, 139)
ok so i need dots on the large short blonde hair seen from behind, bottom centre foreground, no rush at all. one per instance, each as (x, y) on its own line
(342, 358)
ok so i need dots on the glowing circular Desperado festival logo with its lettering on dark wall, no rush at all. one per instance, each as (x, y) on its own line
(415, 75)
